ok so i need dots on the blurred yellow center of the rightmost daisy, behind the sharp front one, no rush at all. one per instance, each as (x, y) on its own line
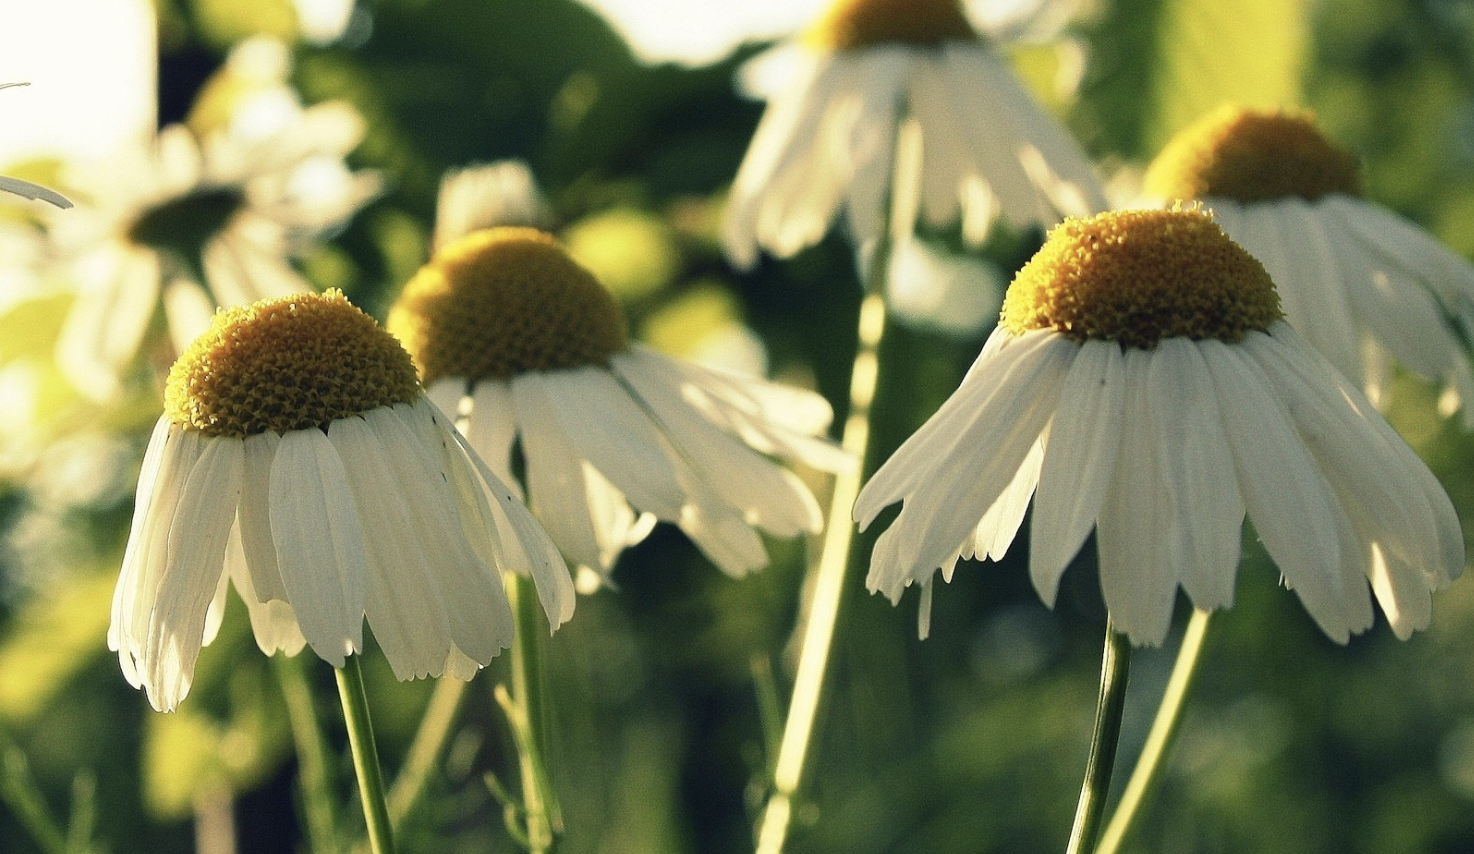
(1252, 157)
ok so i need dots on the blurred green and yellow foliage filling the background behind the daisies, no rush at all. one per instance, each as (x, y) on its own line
(972, 741)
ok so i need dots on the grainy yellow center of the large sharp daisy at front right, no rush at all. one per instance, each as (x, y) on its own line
(1140, 277)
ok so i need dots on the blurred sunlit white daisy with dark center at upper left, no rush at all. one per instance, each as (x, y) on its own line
(197, 223)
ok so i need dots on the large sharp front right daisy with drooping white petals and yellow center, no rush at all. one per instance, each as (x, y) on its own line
(1143, 383)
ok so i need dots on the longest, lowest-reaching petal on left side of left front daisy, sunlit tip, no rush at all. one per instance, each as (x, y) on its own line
(192, 572)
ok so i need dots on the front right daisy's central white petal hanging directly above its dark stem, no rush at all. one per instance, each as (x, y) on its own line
(1139, 533)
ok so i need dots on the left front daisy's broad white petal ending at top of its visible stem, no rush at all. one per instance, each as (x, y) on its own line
(319, 544)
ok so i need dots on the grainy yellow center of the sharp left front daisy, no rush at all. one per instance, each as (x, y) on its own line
(285, 365)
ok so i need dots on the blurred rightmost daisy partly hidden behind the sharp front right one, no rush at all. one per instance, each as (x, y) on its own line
(1361, 284)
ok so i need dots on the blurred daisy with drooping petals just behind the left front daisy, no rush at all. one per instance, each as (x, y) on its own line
(611, 436)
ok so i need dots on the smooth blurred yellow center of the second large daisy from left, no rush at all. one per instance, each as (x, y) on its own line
(505, 302)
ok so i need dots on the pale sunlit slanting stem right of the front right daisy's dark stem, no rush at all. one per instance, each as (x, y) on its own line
(1148, 775)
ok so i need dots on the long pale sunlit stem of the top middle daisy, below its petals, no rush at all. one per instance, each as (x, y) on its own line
(832, 579)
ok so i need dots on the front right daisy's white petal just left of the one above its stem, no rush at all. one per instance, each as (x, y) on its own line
(1080, 462)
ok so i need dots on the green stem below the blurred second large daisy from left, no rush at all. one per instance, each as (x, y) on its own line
(527, 716)
